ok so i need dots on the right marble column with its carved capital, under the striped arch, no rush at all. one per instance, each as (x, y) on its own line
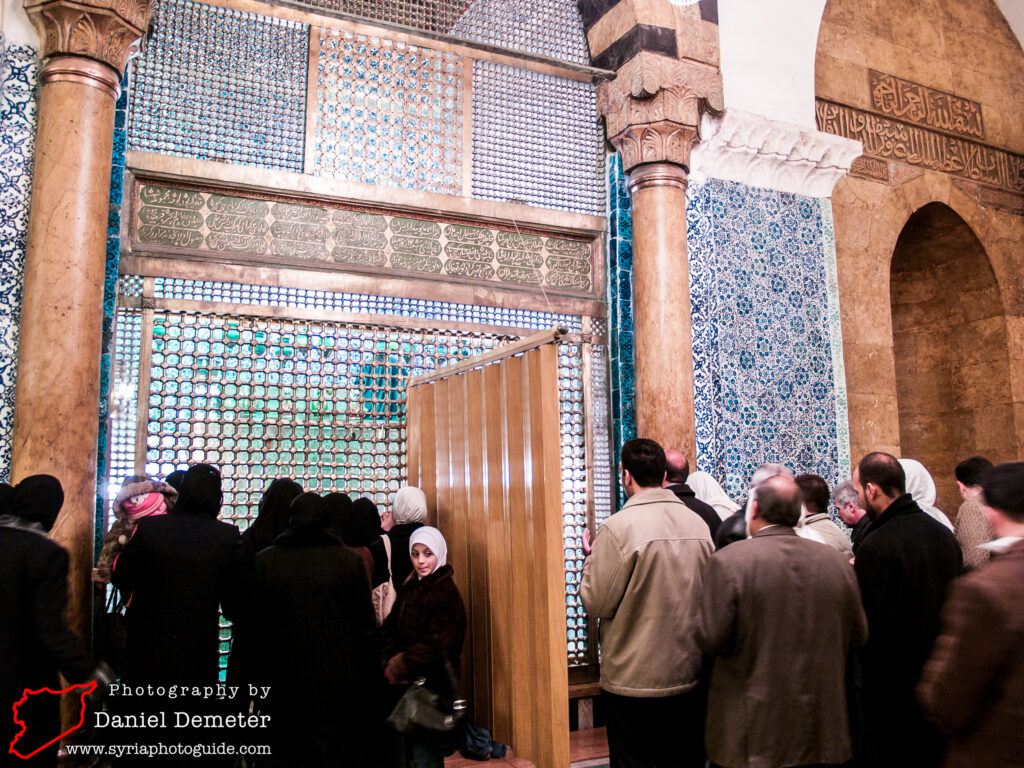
(652, 111)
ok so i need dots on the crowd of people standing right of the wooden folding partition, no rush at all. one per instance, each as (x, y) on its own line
(763, 634)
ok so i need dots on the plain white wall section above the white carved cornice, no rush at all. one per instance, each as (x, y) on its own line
(767, 50)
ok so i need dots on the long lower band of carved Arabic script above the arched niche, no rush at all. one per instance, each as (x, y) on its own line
(888, 140)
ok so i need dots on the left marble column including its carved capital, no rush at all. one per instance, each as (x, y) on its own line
(57, 407)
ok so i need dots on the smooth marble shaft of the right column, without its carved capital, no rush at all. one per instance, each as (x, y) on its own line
(664, 350)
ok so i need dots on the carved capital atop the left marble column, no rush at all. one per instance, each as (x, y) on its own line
(107, 31)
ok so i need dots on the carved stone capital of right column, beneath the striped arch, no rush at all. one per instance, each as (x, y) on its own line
(653, 108)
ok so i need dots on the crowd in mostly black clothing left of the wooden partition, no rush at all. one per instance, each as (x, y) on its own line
(336, 611)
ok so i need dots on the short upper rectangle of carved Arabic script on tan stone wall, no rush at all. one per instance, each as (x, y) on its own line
(924, 106)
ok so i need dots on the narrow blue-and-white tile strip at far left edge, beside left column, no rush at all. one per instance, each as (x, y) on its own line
(19, 72)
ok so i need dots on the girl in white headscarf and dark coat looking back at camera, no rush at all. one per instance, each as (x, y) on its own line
(424, 633)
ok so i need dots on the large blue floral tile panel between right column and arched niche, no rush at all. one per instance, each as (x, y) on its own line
(767, 350)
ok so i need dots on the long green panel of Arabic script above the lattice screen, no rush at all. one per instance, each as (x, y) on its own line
(297, 233)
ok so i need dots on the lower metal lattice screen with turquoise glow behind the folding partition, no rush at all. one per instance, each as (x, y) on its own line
(210, 372)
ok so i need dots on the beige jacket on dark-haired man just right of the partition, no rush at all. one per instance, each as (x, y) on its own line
(645, 581)
